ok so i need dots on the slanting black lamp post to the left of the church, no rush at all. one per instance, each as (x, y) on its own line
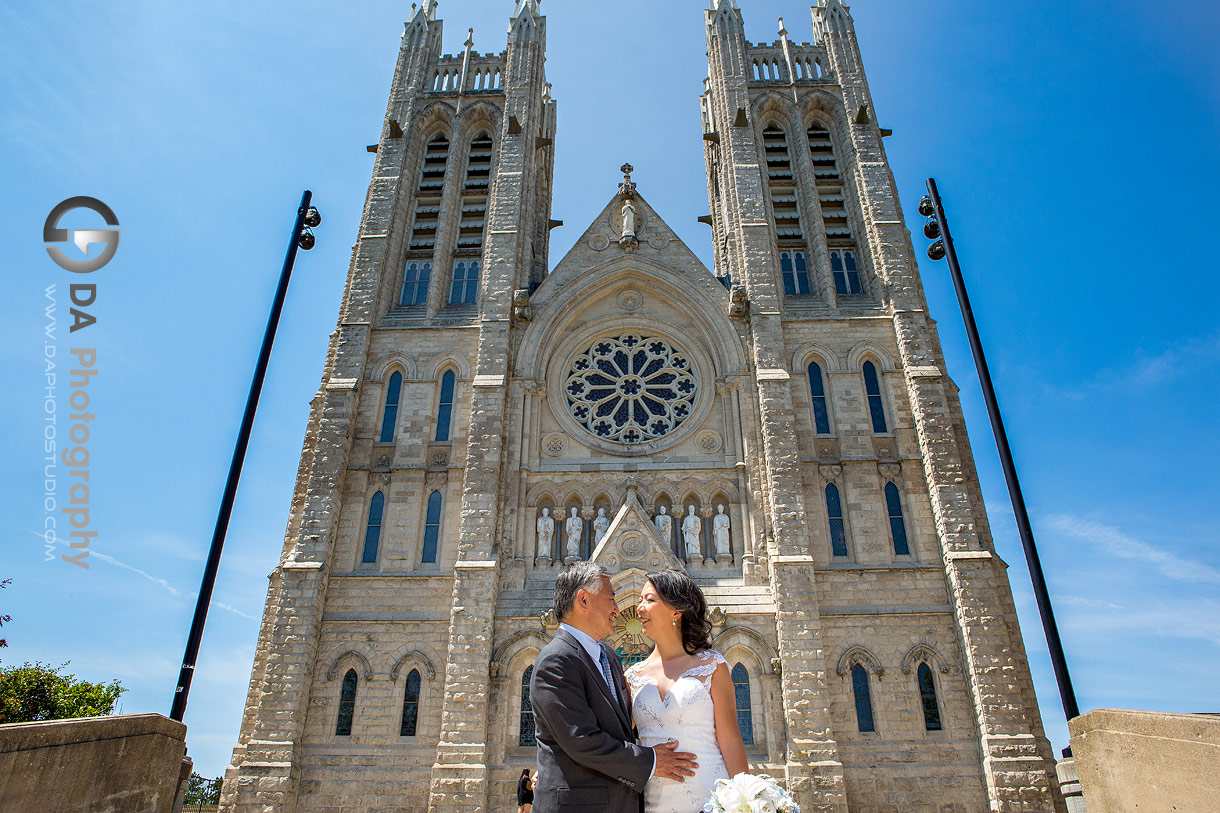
(307, 219)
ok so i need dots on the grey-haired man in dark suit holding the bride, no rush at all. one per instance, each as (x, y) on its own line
(587, 755)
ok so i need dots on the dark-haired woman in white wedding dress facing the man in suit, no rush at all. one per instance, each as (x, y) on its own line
(684, 693)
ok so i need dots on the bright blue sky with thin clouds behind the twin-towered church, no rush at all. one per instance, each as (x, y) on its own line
(1074, 146)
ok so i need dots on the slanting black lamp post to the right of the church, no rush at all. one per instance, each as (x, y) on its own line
(938, 229)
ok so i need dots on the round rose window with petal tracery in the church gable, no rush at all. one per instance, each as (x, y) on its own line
(631, 389)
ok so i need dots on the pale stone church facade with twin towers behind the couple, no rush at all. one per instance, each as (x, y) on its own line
(781, 427)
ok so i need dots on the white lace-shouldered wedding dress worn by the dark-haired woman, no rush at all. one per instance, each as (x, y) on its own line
(687, 716)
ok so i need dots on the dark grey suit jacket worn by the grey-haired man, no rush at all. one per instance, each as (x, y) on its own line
(587, 755)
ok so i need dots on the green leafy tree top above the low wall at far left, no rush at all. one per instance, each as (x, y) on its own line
(37, 692)
